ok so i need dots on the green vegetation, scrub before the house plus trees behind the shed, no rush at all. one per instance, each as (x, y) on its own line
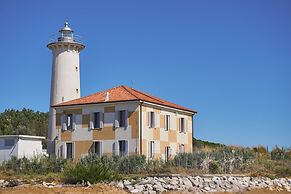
(207, 157)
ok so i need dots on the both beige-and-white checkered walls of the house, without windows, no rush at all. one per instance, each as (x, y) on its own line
(83, 137)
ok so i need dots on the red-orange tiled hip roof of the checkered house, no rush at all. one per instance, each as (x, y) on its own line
(119, 94)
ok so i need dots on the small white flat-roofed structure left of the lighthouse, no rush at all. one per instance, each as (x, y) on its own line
(20, 146)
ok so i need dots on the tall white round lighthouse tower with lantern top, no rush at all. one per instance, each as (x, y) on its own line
(65, 80)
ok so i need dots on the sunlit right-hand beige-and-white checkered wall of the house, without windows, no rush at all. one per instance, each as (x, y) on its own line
(162, 137)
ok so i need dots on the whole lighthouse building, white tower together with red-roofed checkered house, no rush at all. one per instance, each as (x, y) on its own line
(118, 121)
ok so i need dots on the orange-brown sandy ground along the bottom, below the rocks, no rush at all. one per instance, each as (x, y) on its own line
(98, 189)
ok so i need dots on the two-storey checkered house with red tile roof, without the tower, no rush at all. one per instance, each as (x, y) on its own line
(123, 121)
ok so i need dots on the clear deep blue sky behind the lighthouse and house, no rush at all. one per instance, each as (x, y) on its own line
(229, 60)
